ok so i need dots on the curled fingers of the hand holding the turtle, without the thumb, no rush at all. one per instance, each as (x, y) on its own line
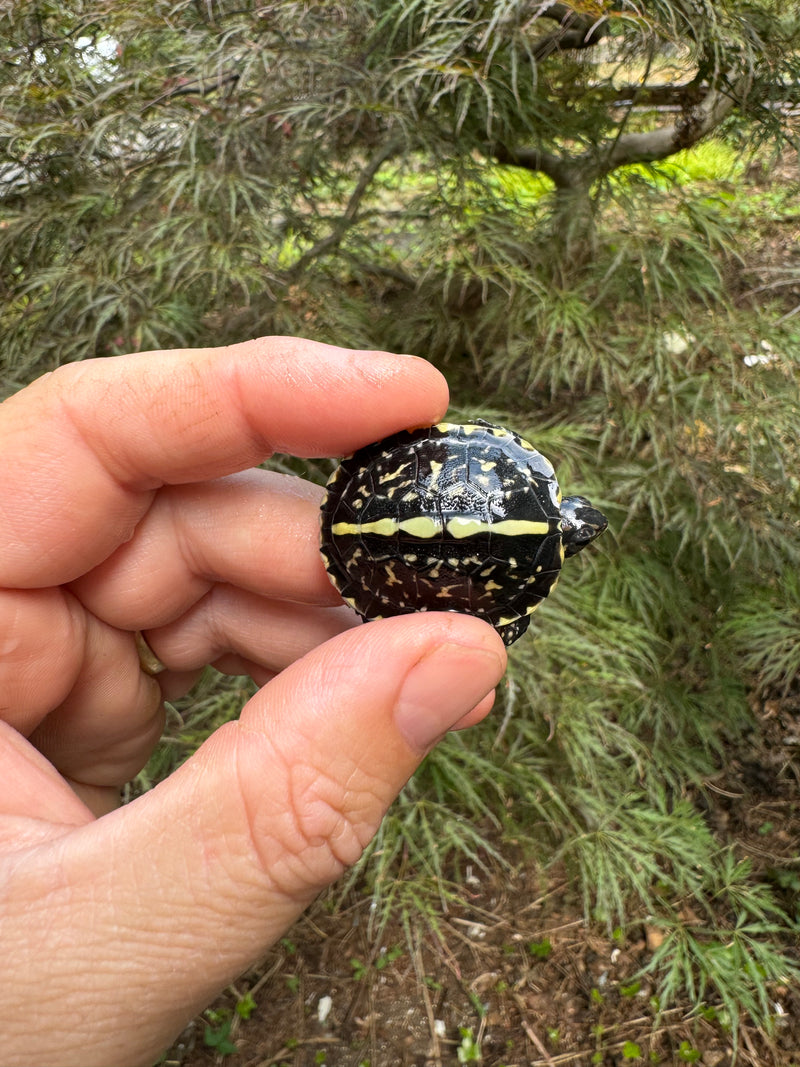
(122, 512)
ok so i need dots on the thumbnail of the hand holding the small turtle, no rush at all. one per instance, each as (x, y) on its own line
(442, 688)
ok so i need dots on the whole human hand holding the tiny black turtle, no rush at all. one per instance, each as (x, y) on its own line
(130, 502)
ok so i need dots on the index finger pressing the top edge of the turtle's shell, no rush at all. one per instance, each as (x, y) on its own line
(86, 448)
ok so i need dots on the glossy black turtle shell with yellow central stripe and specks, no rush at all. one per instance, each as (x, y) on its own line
(455, 518)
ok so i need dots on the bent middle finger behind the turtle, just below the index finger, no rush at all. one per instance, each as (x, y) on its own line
(257, 531)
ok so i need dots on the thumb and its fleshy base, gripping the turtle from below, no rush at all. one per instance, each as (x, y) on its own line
(187, 887)
